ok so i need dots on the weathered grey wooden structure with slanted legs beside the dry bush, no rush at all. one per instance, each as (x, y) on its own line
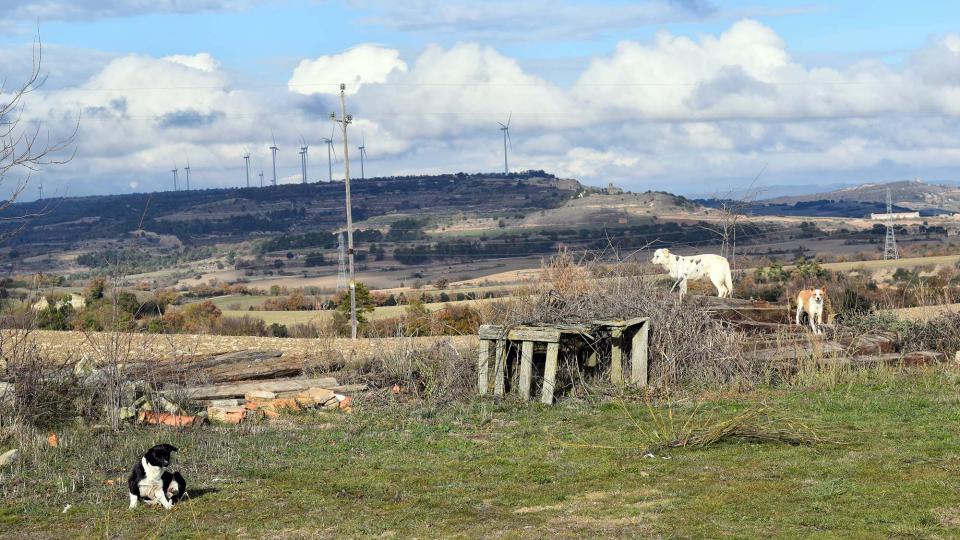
(495, 342)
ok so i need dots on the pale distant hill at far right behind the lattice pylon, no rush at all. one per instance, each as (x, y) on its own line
(913, 194)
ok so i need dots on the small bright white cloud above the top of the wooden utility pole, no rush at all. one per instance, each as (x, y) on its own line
(359, 66)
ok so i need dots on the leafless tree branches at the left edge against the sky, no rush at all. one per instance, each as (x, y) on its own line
(26, 147)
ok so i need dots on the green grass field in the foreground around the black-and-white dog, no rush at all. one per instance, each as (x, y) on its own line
(492, 470)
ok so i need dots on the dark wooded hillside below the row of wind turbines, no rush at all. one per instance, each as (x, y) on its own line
(235, 214)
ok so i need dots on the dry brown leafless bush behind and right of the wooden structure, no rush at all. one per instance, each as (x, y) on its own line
(687, 347)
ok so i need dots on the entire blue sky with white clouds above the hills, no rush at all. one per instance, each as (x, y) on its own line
(689, 96)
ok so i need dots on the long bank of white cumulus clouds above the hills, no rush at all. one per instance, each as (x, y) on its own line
(673, 112)
